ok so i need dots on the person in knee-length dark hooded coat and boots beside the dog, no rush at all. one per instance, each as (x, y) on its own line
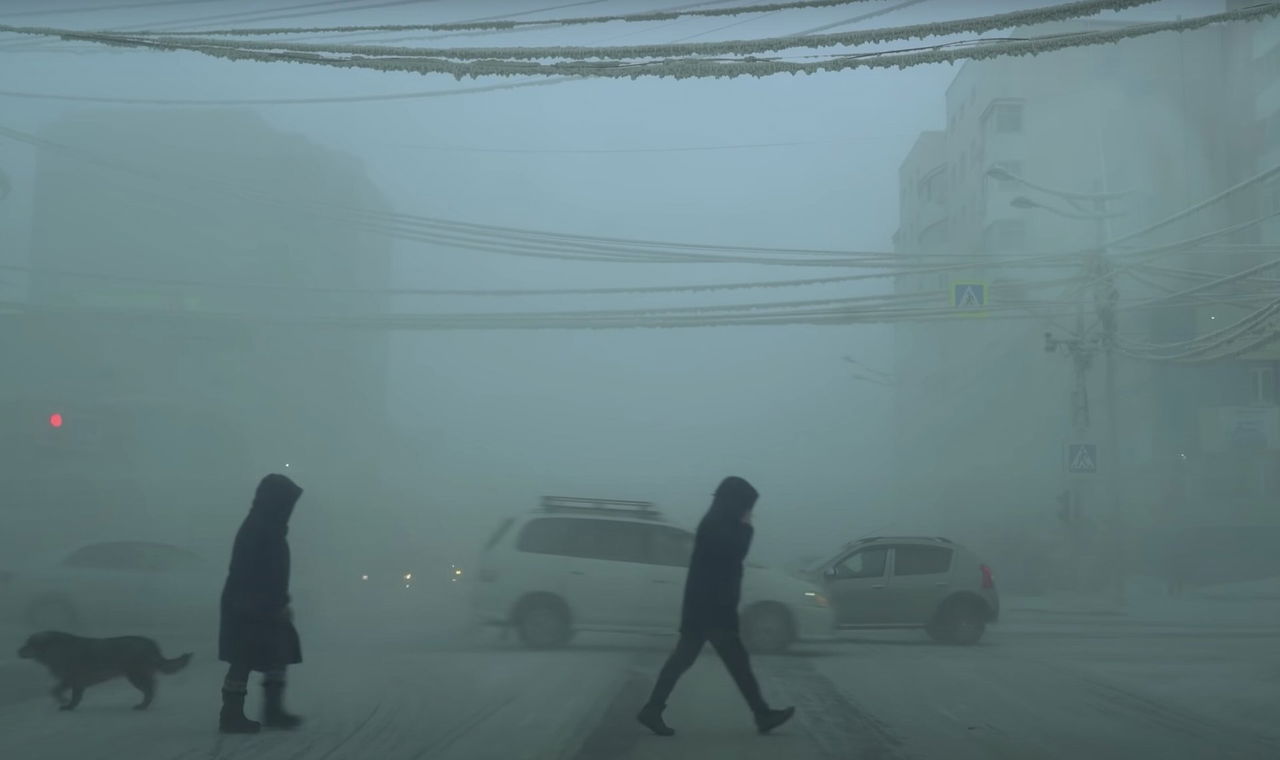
(257, 630)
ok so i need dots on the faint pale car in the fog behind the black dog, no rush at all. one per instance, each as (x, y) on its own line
(117, 588)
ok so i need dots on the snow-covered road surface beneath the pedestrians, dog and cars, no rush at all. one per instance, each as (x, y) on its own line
(1045, 685)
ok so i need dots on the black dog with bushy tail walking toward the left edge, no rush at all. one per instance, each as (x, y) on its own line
(79, 663)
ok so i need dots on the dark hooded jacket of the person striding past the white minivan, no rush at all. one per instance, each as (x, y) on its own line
(714, 587)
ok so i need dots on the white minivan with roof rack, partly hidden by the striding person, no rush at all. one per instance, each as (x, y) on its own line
(580, 565)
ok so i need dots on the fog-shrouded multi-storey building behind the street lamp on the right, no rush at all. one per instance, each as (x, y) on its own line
(1050, 155)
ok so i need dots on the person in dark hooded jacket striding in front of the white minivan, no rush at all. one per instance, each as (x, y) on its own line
(714, 589)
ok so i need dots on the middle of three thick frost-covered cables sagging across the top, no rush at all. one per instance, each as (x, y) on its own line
(670, 51)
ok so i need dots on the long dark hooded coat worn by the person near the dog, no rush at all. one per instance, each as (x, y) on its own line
(257, 629)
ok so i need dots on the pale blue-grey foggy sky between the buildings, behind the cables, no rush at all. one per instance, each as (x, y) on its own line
(637, 414)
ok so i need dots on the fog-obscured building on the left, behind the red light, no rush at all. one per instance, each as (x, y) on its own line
(191, 272)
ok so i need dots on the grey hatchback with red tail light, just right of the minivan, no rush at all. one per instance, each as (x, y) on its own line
(911, 583)
